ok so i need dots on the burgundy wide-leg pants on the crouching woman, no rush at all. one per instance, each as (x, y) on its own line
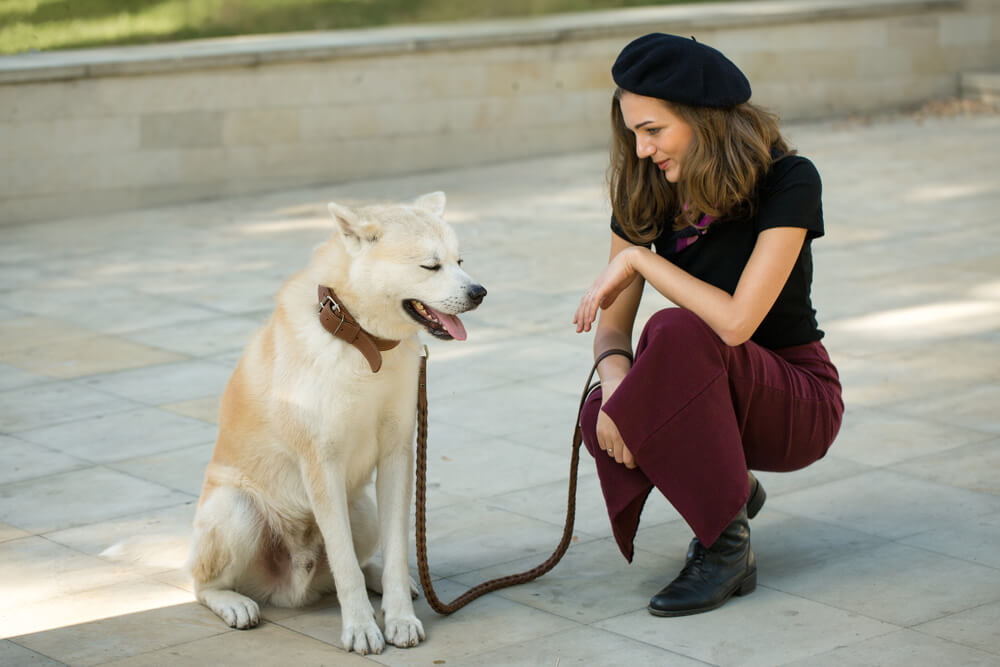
(696, 414)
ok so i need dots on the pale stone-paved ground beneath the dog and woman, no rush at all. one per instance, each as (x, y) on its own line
(119, 332)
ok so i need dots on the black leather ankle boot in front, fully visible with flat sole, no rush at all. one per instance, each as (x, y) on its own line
(711, 575)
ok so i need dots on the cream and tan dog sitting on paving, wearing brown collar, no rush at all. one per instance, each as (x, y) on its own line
(325, 394)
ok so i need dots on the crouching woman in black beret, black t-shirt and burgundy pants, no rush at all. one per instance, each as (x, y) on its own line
(735, 378)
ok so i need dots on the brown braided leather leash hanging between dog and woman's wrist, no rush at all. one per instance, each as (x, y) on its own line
(421, 527)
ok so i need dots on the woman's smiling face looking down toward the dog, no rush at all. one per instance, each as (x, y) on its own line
(660, 134)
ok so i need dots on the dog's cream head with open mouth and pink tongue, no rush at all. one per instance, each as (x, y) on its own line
(405, 267)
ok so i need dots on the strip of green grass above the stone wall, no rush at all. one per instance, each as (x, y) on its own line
(43, 25)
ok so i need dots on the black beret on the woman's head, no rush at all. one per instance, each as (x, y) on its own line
(681, 70)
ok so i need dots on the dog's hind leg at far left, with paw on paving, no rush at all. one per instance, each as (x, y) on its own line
(227, 534)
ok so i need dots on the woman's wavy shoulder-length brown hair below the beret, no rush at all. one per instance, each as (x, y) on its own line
(730, 152)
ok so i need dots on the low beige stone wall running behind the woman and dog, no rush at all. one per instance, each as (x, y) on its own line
(107, 129)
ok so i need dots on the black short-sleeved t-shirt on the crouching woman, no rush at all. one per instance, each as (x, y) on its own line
(788, 196)
